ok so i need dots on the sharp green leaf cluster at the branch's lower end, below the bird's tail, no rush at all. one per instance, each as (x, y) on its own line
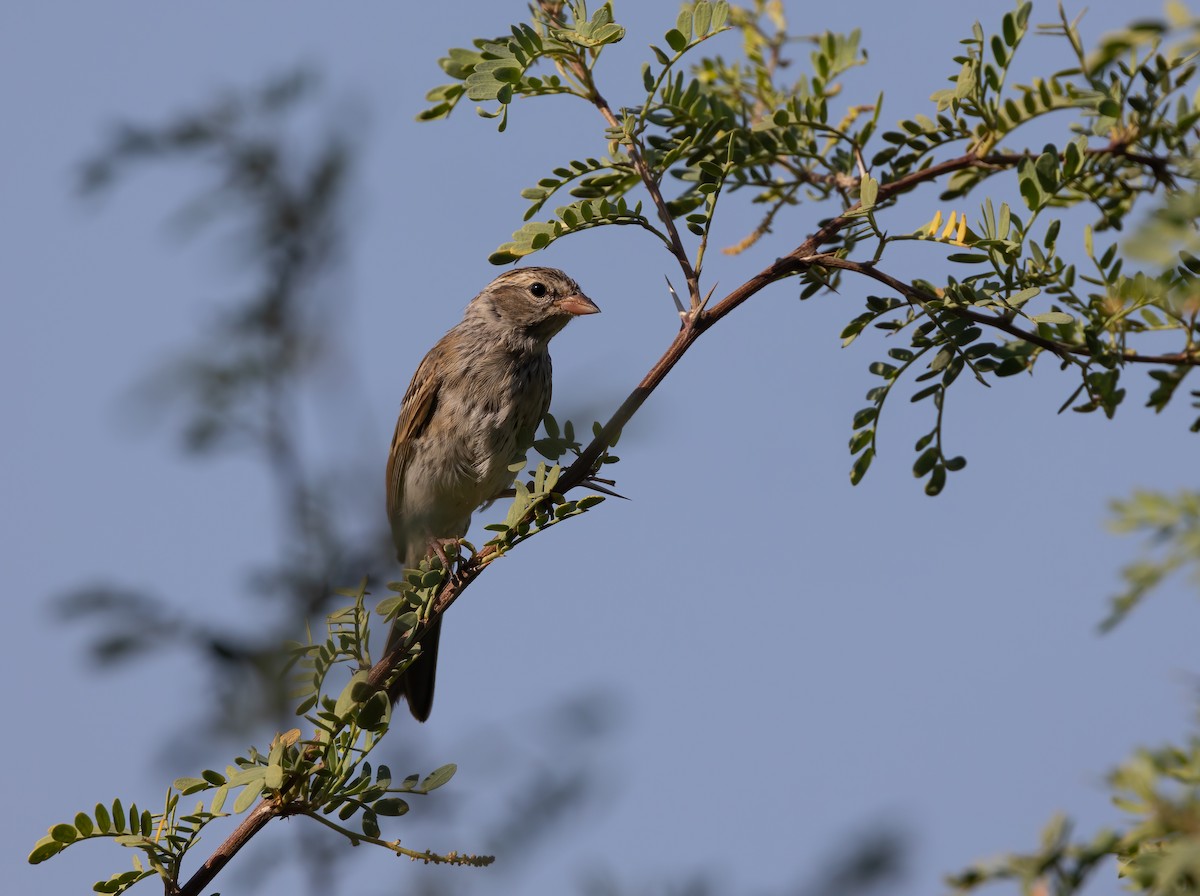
(327, 777)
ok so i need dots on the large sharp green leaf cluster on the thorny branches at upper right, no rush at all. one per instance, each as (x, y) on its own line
(725, 127)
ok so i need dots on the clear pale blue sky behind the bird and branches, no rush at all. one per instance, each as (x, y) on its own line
(796, 662)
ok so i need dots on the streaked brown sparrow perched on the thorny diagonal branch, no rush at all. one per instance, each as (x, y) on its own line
(470, 413)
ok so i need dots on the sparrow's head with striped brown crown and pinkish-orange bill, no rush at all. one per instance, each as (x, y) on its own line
(531, 303)
